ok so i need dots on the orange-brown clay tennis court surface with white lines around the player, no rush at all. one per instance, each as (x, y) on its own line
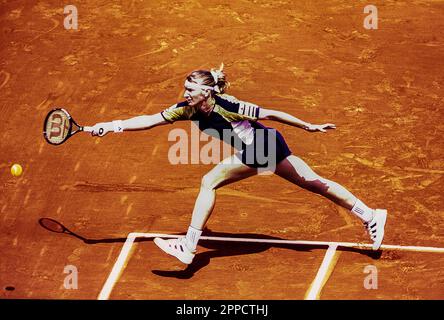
(266, 239)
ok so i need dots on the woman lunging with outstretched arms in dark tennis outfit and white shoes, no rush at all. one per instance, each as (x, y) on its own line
(207, 103)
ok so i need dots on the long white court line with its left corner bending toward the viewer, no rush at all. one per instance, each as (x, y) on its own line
(123, 256)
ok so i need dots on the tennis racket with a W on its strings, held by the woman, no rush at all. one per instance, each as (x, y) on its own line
(59, 126)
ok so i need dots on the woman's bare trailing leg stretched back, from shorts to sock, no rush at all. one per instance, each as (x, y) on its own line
(298, 172)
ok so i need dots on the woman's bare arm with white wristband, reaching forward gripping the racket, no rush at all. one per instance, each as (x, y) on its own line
(136, 123)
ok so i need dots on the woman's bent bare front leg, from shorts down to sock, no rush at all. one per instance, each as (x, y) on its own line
(229, 170)
